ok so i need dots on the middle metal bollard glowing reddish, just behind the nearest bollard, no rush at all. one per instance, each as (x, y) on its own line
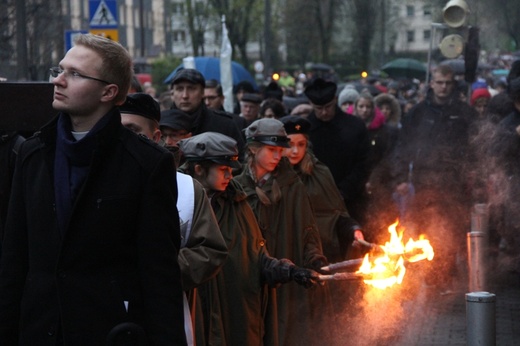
(476, 261)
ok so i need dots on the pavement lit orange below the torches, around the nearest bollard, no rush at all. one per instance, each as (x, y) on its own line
(426, 315)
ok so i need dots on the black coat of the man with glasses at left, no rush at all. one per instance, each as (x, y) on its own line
(116, 260)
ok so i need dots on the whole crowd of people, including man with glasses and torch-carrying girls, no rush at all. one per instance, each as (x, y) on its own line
(177, 222)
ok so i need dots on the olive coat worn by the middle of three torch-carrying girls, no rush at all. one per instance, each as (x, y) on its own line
(290, 230)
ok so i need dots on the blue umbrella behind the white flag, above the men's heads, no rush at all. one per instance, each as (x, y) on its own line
(210, 69)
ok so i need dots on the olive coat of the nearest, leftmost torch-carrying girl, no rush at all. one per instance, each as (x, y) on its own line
(235, 302)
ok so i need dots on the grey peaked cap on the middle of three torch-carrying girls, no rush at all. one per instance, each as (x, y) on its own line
(268, 131)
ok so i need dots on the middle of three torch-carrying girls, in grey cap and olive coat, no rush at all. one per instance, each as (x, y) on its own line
(285, 216)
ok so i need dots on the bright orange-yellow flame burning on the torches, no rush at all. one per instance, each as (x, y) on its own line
(389, 269)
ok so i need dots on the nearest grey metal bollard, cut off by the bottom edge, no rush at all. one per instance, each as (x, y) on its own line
(480, 319)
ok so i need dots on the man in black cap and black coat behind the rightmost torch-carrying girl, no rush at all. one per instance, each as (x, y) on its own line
(341, 143)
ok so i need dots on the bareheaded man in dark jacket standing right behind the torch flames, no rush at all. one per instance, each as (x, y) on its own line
(433, 159)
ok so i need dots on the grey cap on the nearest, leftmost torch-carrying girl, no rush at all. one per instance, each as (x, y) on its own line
(211, 146)
